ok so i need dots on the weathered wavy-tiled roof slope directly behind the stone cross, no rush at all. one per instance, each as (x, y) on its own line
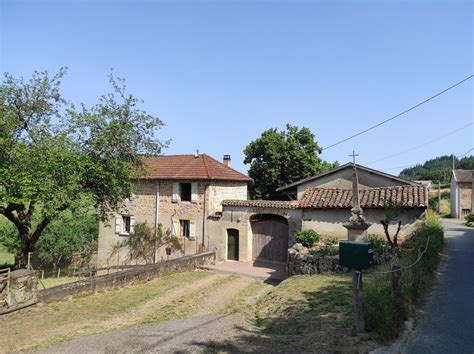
(415, 196)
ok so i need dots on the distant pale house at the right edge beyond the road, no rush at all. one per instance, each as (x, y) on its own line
(462, 197)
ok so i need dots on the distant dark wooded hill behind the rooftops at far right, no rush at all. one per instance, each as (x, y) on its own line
(438, 169)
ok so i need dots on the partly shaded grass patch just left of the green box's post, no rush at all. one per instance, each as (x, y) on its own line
(308, 311)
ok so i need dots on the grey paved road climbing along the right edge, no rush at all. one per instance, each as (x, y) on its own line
(448, 322)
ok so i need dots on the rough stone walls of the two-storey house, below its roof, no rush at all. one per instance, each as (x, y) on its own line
(143, 207)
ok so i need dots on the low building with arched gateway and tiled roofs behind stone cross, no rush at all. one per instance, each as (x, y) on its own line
(257, 230)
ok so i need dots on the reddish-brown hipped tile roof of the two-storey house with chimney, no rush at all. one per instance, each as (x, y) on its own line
(190, 167)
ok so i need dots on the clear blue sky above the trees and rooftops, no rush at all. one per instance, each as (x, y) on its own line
(218, 73)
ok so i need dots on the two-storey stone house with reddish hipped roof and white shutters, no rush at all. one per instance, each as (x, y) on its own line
(179, 192)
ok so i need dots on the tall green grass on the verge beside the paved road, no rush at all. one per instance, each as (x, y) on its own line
(386, 309)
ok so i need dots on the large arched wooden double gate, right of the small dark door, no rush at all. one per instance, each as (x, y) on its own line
(270, 238)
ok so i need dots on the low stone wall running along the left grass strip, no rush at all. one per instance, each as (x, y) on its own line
(135, 275)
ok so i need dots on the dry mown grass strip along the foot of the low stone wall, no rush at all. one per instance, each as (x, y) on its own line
(44, 325)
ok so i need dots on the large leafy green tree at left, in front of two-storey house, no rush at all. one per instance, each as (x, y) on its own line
(53, 155)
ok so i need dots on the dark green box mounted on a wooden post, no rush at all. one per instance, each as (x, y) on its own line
(356, 255)
